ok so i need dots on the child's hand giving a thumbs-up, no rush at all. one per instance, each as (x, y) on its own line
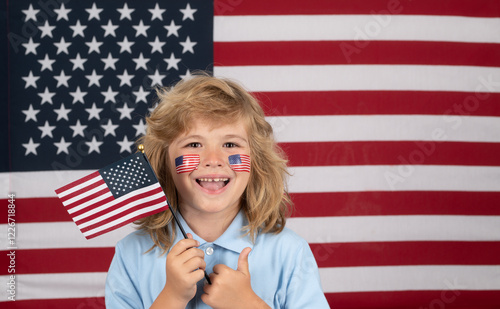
(231, 288)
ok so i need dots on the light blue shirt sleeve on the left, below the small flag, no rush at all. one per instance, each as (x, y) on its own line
(121, 289)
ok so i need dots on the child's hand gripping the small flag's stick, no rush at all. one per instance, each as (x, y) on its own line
(185, 267)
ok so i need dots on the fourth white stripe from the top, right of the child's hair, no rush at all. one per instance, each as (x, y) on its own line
(356, 178)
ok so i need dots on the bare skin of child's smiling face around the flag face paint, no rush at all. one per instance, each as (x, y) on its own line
(213, 187)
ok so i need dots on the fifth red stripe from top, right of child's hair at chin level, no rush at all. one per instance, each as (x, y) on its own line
(371, 203)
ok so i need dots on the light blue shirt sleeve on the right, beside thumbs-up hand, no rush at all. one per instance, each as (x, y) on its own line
(304, 286)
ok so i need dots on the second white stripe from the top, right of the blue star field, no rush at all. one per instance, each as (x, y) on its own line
(364, 77)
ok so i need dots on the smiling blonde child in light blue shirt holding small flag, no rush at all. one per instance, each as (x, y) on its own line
(198, 141)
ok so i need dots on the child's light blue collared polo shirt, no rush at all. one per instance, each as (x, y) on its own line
(282, 268)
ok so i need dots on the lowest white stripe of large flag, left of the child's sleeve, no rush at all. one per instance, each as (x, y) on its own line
(66, 285)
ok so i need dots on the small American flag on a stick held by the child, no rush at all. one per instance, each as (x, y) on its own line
(113, 196)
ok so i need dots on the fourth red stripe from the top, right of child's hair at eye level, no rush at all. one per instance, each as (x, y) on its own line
(391, 153)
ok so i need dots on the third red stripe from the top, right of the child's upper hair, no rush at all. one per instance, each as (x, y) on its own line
(379, 102)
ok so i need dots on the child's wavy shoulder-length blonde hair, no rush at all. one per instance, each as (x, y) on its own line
(265, 202)
